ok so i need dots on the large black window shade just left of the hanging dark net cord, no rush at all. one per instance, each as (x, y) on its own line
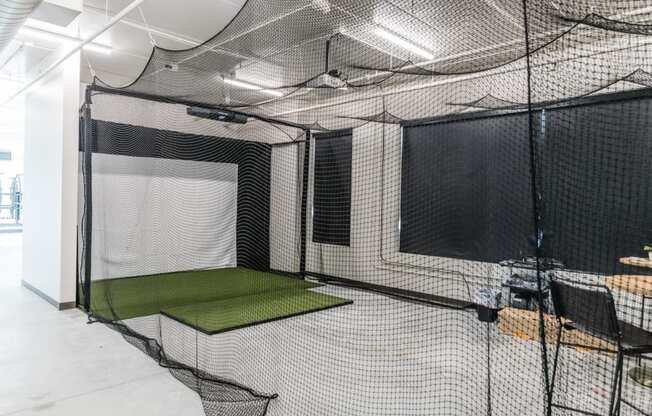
(465, 189)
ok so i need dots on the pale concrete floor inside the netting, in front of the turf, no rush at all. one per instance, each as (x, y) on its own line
(385, 357)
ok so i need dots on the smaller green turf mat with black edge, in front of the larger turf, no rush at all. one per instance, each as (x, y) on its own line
(239, 312)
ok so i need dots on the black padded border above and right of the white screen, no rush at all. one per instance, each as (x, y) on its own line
(254, 170)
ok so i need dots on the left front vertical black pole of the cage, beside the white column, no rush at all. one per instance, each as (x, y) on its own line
(87, 229)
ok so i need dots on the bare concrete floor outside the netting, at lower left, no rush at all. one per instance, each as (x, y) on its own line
(53, 363)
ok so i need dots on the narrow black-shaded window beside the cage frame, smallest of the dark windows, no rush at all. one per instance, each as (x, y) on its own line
(332, 188)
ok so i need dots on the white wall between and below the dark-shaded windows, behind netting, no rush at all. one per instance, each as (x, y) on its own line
(373, 255)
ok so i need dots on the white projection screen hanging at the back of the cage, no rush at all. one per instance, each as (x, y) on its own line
(155, 215)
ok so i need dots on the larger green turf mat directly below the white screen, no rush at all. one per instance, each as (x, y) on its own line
(116, 299)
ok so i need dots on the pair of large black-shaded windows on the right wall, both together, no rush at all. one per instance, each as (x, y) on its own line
(465, 185)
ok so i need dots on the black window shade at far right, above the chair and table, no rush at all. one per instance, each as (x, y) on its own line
(595, 173)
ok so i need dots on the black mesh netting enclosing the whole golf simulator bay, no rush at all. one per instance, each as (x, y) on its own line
(488, 147)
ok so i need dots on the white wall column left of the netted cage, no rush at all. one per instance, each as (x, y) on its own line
(51, 165)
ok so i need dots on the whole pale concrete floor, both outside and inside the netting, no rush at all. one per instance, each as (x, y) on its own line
(378, 356)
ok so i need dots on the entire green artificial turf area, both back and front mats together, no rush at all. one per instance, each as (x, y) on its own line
(212, 301)
